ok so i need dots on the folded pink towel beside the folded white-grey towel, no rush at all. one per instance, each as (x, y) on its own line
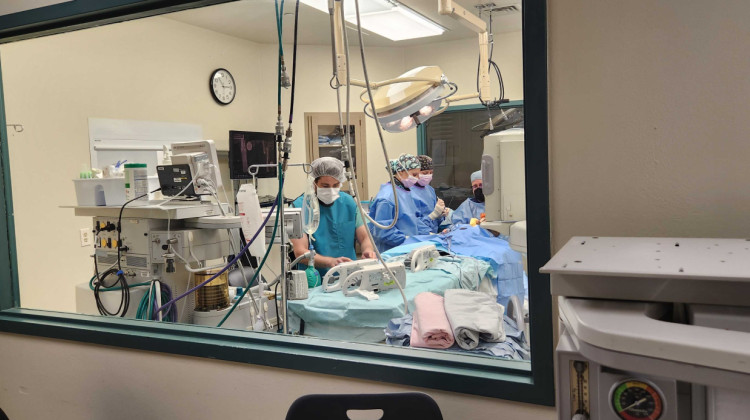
(430, 327)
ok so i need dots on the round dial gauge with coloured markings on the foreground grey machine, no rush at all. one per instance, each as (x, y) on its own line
(637, 400)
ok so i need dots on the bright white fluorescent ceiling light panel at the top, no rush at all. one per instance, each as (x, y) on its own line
(386, 18)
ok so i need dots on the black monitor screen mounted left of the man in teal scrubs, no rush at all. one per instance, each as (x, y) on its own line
(250, 148)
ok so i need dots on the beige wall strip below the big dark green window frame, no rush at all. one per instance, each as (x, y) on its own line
(57, 379)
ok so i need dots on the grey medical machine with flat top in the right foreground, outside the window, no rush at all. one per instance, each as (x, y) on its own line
(652, 328)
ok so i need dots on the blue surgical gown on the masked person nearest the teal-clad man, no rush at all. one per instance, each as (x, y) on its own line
(382, 211)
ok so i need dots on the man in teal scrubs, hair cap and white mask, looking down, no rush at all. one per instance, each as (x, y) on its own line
(340, 222)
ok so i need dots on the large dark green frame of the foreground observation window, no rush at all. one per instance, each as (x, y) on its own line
(530, 383)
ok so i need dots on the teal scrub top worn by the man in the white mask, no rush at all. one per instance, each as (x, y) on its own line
(336, 232)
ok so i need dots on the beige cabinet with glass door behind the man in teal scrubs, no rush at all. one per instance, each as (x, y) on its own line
(324, 137)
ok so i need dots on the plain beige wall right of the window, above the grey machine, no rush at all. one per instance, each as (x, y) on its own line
(649, 118)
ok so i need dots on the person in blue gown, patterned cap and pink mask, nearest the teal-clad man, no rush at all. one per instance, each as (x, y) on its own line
(405, 171)
